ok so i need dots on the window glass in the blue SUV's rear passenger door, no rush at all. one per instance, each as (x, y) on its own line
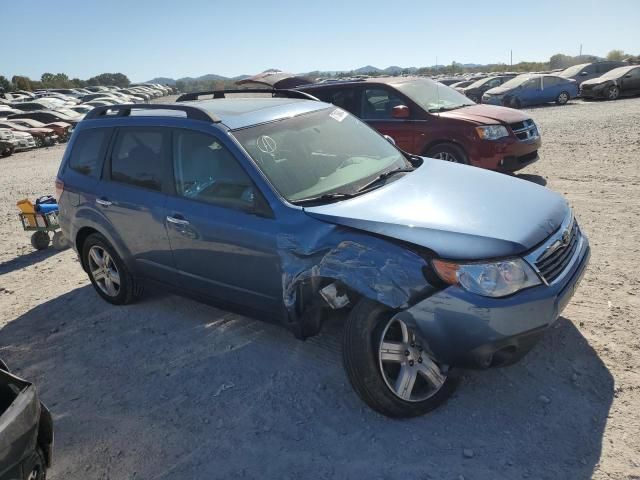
(139, 157)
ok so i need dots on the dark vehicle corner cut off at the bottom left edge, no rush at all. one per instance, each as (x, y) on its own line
(26, 430)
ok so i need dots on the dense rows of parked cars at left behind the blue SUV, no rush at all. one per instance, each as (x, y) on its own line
(46, 117)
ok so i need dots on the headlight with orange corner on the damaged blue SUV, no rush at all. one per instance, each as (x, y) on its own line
(495, 279)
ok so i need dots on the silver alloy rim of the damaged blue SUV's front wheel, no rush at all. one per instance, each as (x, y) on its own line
(406, 367)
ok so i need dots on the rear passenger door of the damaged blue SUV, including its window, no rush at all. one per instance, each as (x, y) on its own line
(132, 197)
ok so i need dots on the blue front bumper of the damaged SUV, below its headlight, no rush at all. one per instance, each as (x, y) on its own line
(466, 330)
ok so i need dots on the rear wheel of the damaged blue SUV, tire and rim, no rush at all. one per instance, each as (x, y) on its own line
(108, 274)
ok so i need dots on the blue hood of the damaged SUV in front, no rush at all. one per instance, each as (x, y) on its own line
(458, 211)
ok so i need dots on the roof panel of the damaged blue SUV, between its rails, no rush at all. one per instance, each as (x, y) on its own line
(244, 112)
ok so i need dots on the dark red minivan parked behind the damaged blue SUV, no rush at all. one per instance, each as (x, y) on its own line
(430, 119)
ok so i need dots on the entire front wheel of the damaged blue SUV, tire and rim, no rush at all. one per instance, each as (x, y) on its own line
(388, 365)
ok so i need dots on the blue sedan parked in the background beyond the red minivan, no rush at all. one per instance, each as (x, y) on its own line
(535, 89)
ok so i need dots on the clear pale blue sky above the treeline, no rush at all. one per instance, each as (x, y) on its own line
(176, 38)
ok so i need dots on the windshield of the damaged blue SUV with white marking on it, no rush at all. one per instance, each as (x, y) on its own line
(323, 152)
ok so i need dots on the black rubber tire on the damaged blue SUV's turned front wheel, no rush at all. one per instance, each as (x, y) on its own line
(367, 324)
